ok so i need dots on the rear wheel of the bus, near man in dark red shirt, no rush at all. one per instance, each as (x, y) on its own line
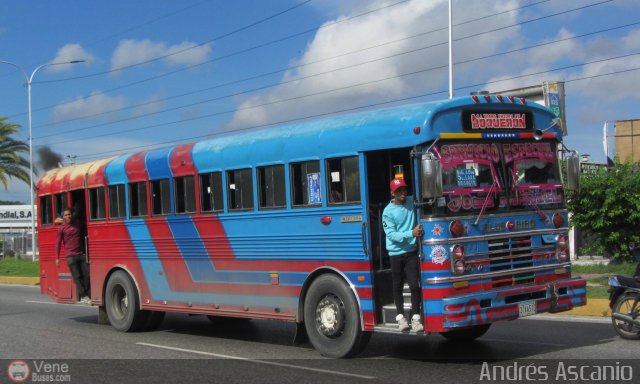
(122, 304)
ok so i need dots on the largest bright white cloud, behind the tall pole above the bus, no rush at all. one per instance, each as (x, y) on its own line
(398, 23)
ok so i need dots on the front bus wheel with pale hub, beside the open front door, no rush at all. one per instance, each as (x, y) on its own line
(332, 318)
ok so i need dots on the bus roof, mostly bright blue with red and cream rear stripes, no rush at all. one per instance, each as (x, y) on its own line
(333, 136)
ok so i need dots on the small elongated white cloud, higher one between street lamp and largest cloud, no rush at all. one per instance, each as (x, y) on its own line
(130, 52)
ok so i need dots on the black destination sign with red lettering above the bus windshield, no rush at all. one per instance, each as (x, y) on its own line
(481, 121)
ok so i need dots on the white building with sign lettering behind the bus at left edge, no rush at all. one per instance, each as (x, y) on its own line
(15, 231)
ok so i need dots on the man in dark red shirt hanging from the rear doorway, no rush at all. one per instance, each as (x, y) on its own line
(71, 233)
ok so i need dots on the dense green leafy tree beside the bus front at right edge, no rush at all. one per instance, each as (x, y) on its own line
(608, 207)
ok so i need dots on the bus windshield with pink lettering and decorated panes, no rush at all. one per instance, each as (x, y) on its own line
(494, 177)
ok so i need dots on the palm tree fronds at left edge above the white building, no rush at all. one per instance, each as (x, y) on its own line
(12, 164)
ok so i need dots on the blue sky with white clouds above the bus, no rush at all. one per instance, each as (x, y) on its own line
(158, 73)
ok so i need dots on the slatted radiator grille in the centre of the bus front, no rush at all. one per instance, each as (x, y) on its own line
(507, 254)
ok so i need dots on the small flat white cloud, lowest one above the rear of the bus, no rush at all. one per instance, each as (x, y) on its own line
(91, 105)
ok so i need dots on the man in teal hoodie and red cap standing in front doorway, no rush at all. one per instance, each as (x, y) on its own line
(398, 220)
